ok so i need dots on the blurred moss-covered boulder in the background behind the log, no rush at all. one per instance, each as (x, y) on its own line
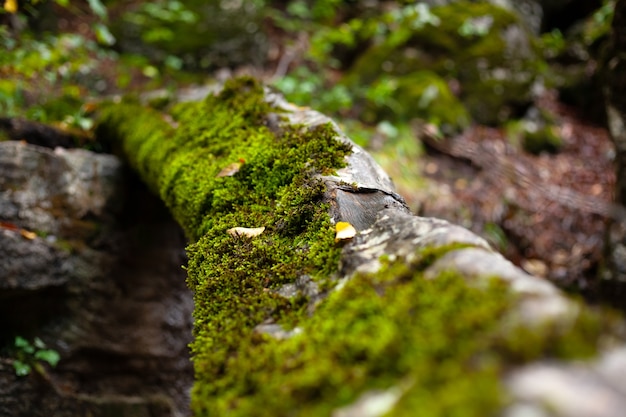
(486, 48)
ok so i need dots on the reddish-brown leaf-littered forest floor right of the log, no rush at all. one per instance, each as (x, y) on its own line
(547, 213)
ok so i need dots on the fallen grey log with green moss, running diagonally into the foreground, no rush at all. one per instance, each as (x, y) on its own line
(410, 316)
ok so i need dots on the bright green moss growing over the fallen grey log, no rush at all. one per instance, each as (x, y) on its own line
(438, 343)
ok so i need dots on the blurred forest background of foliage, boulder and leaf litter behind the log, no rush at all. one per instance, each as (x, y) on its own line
(487, 113)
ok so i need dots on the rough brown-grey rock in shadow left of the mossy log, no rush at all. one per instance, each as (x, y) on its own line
(78, 241)
